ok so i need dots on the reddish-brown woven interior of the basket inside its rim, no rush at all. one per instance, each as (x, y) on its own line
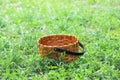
(58, 40)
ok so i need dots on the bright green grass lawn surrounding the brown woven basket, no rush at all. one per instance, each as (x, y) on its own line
(96, 23)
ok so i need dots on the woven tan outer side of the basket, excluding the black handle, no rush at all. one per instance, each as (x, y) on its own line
(49, 51)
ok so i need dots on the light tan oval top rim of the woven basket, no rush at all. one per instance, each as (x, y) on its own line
(58, 35)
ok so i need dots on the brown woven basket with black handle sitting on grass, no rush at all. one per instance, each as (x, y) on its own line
(54, 46)
